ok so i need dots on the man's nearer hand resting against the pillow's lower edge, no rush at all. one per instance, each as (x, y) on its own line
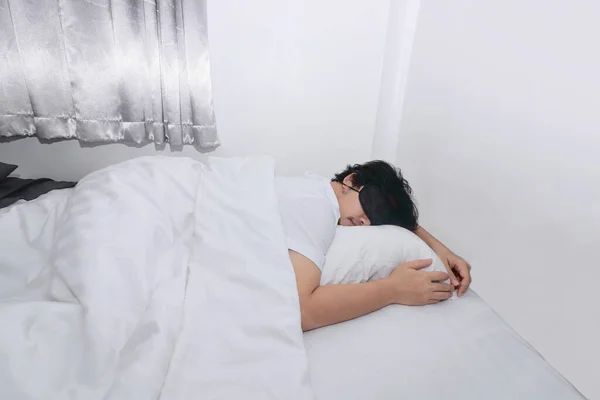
(412, 287)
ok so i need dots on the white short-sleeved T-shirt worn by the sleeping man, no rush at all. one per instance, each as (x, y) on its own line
(309, 211)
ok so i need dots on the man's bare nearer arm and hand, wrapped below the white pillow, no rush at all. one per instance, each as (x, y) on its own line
(326, 305)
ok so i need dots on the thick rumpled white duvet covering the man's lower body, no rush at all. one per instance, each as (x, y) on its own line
(158, 278)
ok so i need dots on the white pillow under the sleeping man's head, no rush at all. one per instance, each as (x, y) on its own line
(366, 253)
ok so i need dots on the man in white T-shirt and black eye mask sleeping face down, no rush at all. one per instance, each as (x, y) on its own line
(374, 193)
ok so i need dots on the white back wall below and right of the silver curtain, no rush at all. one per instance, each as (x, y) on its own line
(295, 79)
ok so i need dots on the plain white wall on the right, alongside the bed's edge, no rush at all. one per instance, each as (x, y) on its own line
(500, 138)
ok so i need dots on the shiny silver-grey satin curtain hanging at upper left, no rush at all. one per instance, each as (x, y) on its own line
(106, 71)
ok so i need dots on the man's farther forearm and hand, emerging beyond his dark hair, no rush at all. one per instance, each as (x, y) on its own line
(458, 269)
